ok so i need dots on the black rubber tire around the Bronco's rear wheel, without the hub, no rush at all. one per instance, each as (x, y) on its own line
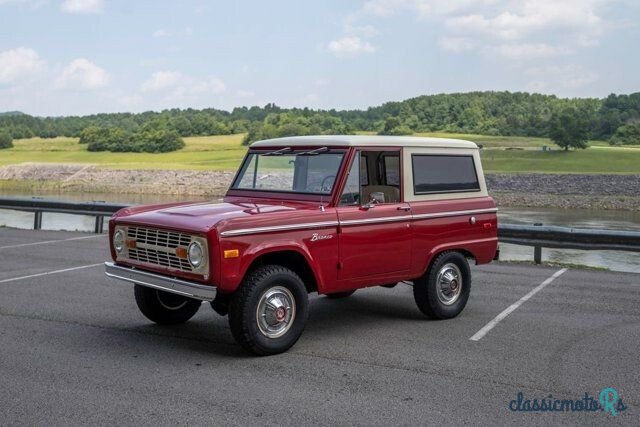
(425, 288)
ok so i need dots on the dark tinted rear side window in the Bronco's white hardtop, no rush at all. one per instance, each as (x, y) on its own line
(442, 173)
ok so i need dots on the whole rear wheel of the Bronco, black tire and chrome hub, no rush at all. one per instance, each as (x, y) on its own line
(443, 291)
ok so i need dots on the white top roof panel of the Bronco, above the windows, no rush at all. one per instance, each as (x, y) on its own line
(363, 141)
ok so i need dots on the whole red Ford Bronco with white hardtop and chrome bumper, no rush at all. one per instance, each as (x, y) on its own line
(325, 214)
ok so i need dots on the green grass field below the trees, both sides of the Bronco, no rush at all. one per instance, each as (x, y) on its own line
(500, 154)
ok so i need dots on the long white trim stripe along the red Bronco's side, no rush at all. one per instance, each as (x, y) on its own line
(256, 230)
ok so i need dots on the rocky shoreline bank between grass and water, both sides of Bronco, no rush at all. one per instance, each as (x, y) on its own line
(568, 191)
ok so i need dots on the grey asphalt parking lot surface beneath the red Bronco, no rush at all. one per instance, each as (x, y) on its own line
(75, 350)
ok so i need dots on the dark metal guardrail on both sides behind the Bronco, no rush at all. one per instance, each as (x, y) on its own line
(537, 235)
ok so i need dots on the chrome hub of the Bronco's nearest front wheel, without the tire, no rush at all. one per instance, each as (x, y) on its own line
(276, 312)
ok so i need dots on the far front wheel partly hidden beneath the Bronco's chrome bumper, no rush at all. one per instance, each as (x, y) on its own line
(163, 307)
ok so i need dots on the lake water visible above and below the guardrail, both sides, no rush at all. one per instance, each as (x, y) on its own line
(579, 218)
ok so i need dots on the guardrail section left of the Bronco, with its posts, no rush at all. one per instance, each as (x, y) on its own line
(38, 206)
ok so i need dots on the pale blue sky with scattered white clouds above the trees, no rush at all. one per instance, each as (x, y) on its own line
(77, 57)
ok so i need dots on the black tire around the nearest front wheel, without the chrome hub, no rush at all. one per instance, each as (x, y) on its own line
(243, 309)
